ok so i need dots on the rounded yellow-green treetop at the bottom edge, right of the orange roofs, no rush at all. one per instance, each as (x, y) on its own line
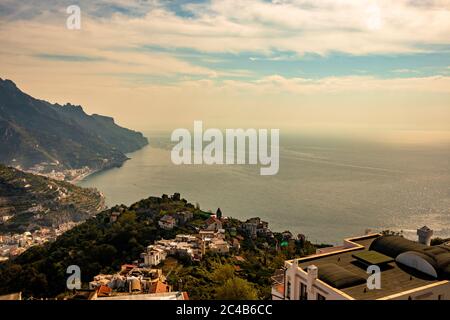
(236, 289)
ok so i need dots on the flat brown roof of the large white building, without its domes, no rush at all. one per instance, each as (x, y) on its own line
(395, 278)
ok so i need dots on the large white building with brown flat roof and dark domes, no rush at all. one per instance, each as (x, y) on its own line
(341, 274)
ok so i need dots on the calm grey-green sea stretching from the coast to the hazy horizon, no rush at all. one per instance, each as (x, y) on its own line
(327, 189)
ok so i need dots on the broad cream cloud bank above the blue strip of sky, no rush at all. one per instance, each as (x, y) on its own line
(112, 44)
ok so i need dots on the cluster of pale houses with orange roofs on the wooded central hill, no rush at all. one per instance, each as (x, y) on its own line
(214, 236)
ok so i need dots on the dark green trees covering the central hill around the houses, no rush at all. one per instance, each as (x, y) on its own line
(102, 246)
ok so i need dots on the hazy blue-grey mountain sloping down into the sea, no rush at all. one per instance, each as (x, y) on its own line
(38, 135)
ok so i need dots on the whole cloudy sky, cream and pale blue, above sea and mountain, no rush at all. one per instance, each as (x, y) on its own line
(379, 68)
